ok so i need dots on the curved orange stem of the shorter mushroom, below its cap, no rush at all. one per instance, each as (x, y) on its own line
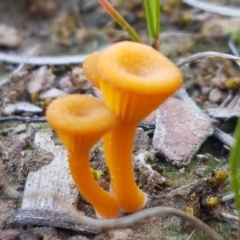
(104, 203)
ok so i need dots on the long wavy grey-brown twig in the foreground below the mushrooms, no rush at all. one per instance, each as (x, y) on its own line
(130, 219)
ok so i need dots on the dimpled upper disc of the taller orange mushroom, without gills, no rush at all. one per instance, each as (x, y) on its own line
(138, 68)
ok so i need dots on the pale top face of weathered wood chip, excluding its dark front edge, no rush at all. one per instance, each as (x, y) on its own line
(54, 177)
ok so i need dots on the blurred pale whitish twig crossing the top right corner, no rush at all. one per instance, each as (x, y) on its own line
(219, 9)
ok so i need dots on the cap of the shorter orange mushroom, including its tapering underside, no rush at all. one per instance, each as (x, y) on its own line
(80, 120)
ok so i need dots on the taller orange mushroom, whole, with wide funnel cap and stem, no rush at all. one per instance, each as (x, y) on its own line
(134, 79)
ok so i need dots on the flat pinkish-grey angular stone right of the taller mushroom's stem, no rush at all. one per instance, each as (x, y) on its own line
(179, 132)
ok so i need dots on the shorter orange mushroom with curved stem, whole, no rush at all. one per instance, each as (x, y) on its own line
(80, 121)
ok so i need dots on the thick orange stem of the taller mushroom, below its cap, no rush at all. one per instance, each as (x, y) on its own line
(118, 153)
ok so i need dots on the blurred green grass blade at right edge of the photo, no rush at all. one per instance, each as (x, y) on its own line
(234, 161)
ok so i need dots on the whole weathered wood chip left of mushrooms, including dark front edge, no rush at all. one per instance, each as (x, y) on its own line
(39, 208)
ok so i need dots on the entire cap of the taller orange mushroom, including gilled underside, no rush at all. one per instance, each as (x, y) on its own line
(134, 79)
